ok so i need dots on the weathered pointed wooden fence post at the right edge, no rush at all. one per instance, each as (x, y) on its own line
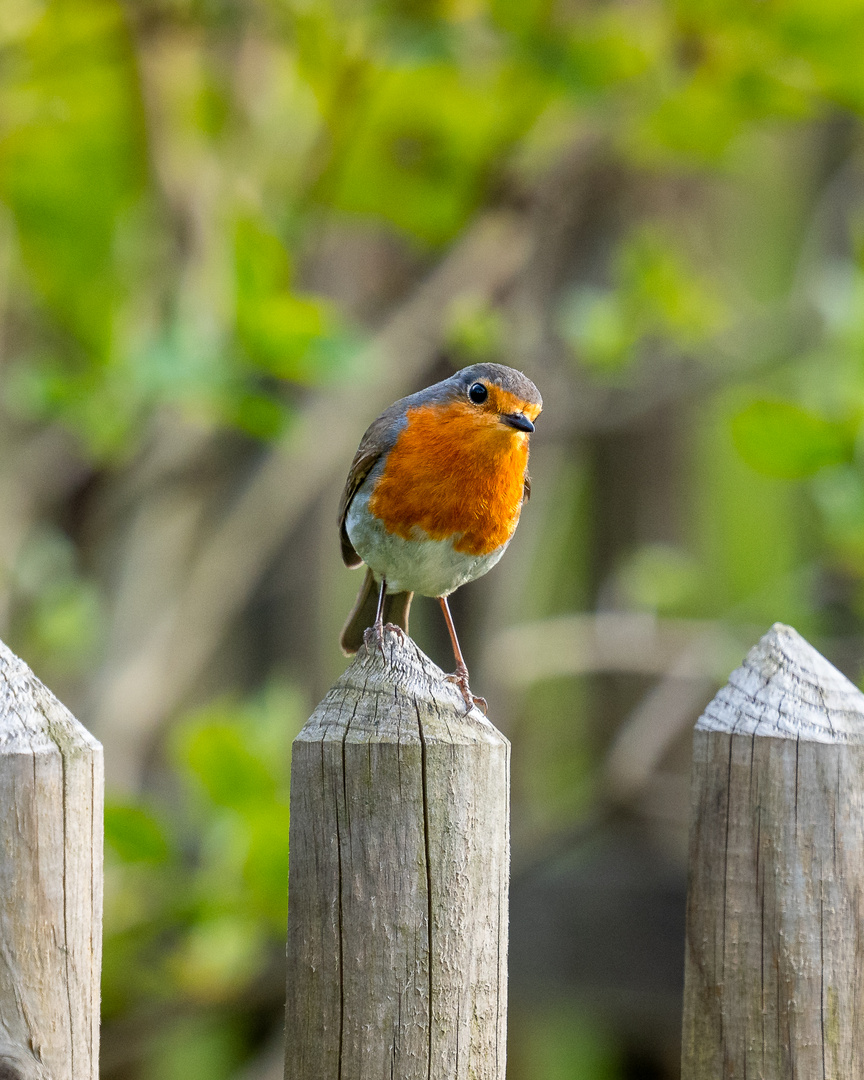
(775, 968)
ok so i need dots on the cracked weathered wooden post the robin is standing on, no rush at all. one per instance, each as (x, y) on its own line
(398, 899)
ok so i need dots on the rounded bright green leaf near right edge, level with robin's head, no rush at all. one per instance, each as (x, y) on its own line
(780, 439)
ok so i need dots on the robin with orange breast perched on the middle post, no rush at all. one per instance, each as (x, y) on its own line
(435, 496)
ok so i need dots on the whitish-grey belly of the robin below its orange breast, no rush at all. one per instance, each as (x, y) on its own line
(423, 565)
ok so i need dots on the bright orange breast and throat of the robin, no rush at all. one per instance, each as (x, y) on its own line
(454, 470)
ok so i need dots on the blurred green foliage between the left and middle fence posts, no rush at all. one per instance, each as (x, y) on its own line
(197, 883)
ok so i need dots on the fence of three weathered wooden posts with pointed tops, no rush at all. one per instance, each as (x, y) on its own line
(399, 879)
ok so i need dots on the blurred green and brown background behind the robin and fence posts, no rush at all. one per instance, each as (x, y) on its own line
(232, 232)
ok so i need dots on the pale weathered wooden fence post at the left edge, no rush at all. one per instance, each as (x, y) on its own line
(51, 874)
